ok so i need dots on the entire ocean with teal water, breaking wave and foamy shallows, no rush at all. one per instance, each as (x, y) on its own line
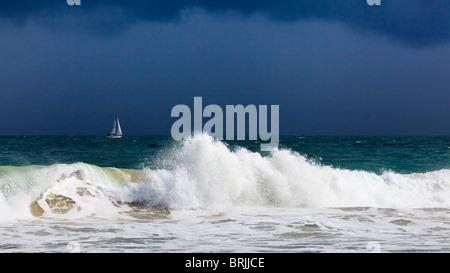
(154, 194)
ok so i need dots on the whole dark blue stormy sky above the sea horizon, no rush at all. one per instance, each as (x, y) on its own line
(334, 67)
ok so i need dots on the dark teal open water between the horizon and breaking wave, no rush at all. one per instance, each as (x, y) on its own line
(376, 154)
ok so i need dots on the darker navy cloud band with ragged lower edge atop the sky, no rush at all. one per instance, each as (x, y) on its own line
(415, 23)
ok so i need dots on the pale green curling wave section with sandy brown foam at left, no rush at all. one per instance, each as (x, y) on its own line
(61, 190)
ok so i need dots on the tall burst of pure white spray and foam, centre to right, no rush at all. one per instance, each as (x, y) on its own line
(205, 173)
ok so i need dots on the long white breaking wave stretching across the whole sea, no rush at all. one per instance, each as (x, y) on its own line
(207, 174)
